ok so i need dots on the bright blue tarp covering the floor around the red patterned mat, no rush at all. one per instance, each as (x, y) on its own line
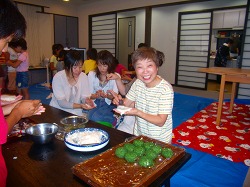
(203, 170)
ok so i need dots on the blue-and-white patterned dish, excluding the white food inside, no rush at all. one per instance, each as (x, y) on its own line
(88, 147)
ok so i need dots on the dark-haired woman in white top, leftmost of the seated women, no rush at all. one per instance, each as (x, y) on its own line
(71, 90)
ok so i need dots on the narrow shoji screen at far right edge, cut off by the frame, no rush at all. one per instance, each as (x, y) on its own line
(244, 89)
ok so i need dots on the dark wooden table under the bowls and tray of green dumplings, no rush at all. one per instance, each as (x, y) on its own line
(50, 165)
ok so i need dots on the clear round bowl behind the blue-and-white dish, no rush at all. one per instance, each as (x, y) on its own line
(74, 122)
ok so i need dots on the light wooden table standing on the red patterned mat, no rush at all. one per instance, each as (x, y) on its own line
(234, 75)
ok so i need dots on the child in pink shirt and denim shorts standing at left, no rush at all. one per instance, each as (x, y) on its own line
(22, 66)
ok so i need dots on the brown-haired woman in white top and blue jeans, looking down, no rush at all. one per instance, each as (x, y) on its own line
(100, 86)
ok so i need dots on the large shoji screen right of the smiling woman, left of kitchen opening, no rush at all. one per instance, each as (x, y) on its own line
(193, 48)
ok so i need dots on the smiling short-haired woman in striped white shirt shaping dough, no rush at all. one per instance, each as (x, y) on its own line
(150, 97)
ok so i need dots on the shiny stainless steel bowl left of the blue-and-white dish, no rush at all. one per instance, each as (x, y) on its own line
(42, 133)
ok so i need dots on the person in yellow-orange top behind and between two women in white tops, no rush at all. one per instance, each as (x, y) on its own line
(90, 63)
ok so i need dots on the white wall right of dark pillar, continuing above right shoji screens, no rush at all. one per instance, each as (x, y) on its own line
(164, 35)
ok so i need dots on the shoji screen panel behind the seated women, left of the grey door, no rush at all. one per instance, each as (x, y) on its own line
(103, 32)
